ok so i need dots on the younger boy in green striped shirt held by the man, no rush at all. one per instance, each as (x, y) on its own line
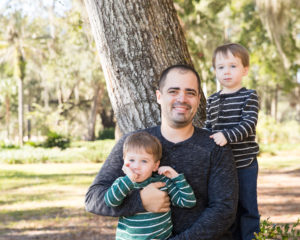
(142, 153)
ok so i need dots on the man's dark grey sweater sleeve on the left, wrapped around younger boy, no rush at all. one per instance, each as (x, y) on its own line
(109, 172)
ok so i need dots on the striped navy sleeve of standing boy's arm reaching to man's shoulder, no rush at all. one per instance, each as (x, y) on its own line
(248, 123)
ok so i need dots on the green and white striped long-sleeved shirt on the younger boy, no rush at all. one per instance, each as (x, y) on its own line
(149, 225)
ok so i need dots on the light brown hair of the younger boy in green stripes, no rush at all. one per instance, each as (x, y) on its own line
(143, 140)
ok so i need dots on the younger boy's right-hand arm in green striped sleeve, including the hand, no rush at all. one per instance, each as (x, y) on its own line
(180, 192)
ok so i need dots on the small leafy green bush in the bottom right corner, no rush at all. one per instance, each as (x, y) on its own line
(268, 230)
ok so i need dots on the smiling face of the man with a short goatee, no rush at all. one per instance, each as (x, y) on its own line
(179, 98)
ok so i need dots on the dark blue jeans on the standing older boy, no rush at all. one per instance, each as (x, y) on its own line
(247, 220)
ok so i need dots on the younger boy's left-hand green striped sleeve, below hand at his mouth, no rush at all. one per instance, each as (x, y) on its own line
(118, 191)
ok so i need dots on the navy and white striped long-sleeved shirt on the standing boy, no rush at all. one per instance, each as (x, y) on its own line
(235, 115)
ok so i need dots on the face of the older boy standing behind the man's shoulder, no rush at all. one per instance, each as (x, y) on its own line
(229, 72)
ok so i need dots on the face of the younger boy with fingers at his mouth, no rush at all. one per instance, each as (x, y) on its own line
(141, 163)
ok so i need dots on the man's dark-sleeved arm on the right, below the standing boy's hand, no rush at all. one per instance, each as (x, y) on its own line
(222, 199)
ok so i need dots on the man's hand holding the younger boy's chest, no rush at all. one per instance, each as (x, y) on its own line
(155, 200)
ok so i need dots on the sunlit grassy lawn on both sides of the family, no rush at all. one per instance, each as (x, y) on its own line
(46, 200)
